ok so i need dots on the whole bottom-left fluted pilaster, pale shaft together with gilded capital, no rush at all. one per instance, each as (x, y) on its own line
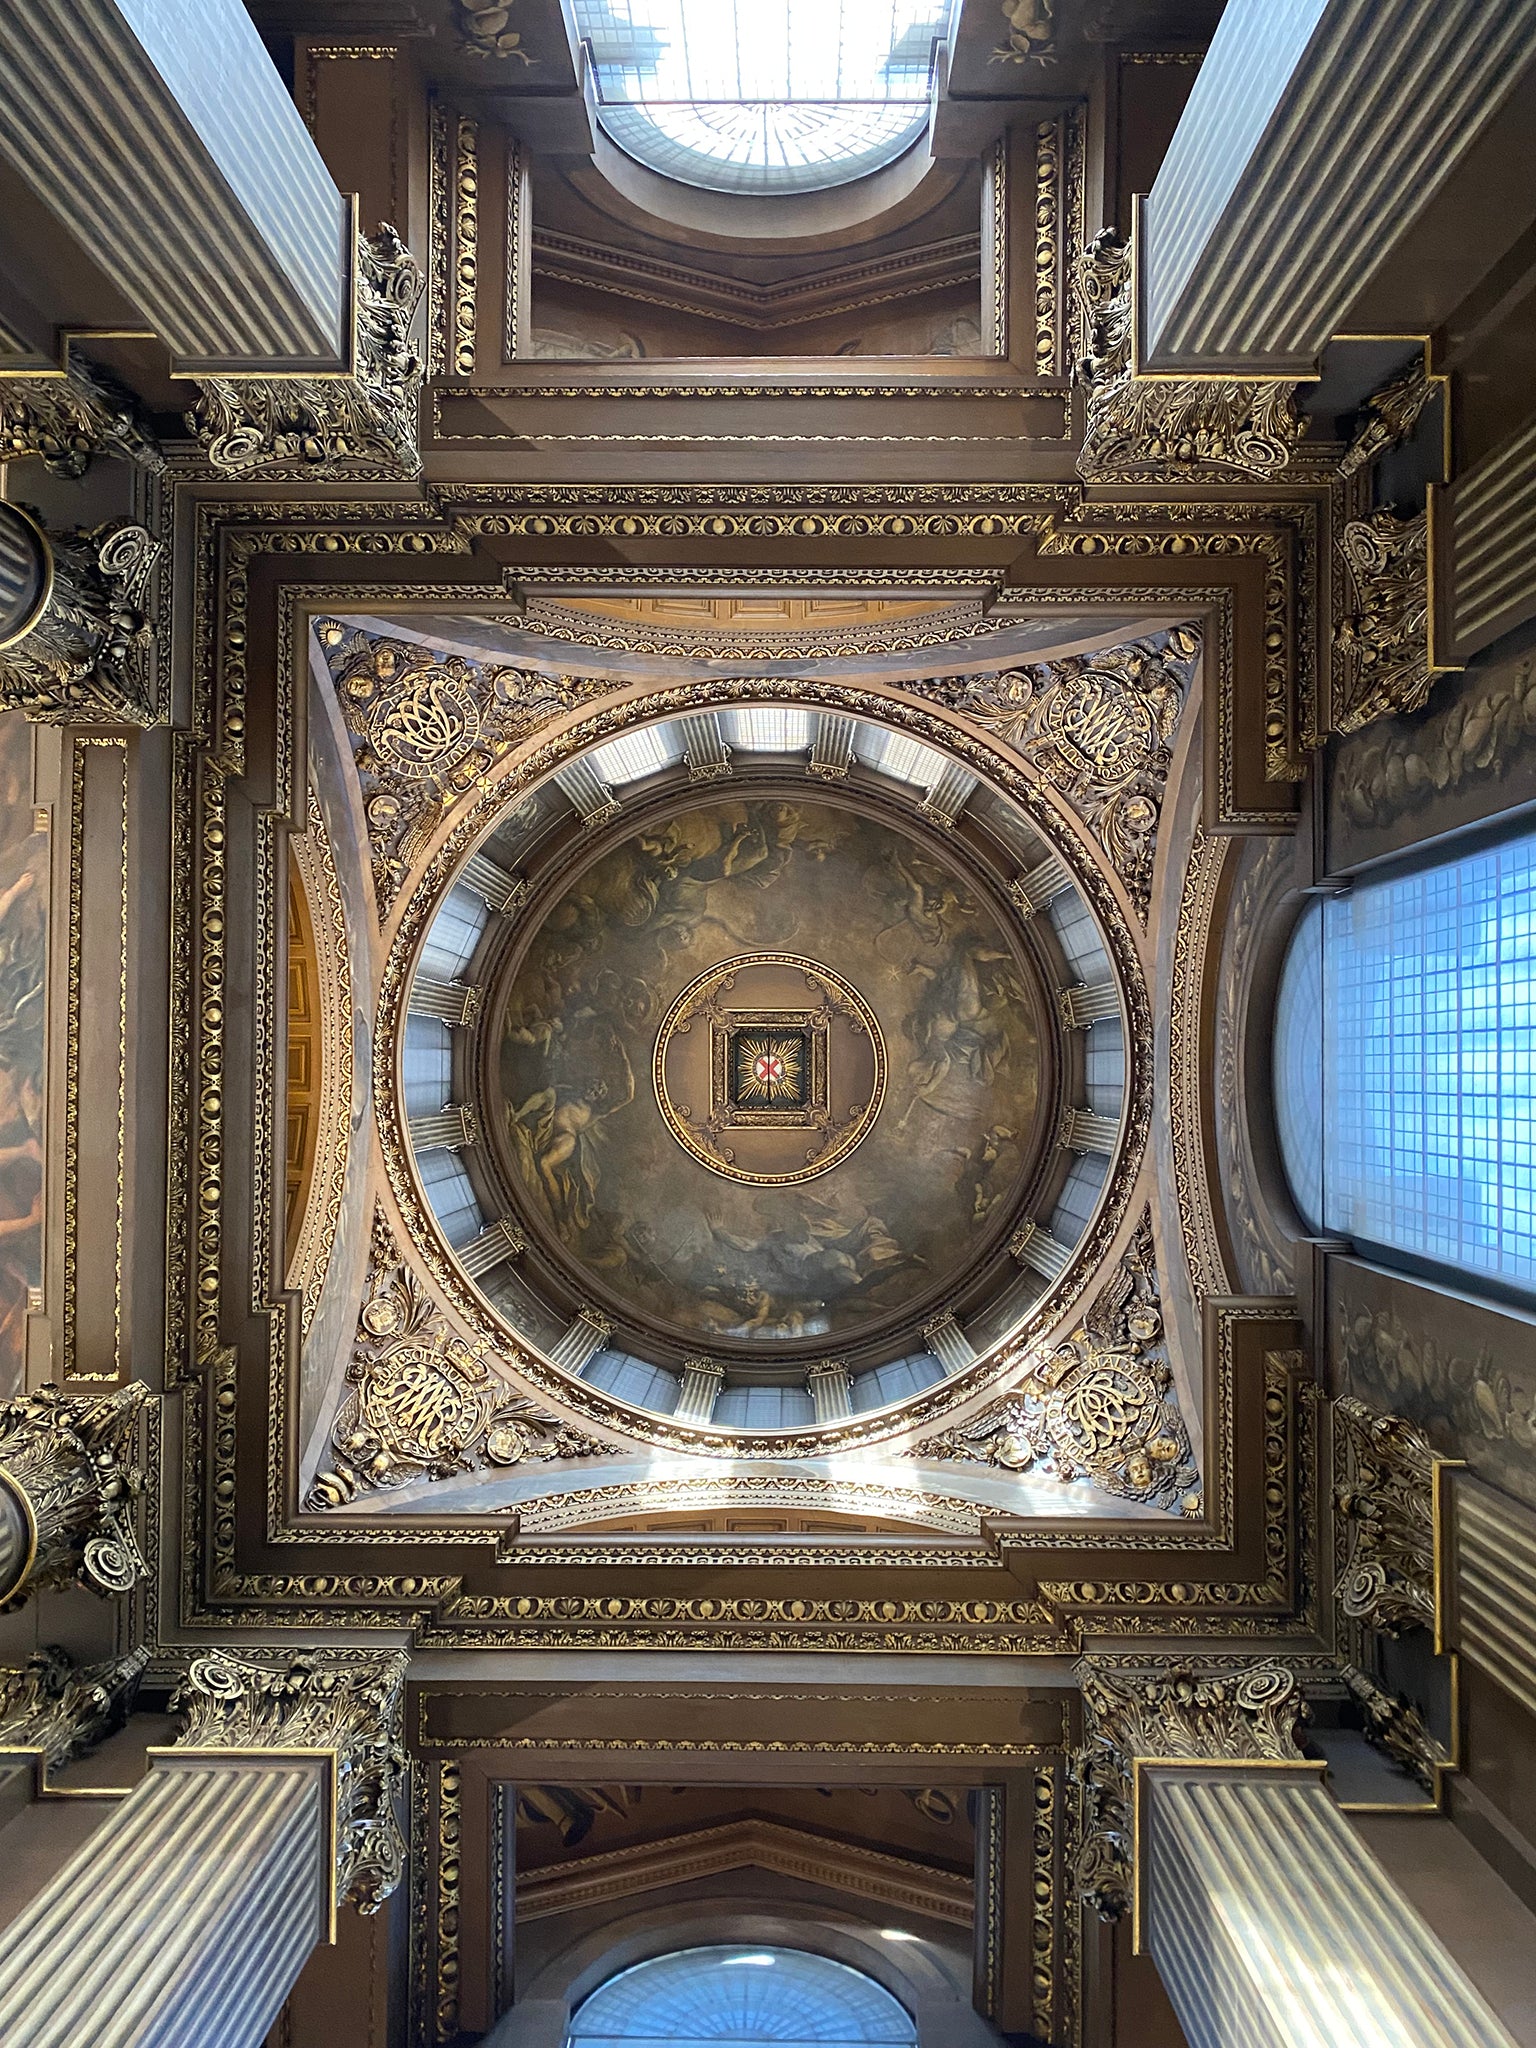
(187, 1918)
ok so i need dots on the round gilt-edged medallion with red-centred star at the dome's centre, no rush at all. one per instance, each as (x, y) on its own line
(769, 1068)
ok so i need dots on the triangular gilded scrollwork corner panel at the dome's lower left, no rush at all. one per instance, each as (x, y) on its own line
(423, 1404)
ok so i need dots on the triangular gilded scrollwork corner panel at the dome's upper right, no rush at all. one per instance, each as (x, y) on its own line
(1101, 730)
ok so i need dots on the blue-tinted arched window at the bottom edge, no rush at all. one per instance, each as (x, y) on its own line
(736, 1998)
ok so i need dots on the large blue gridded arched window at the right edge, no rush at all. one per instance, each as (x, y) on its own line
(1406, 1066)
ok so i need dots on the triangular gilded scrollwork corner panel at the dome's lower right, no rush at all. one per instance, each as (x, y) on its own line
(1101, 1406)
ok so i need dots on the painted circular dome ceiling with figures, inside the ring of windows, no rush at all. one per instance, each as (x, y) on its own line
(769, 1070)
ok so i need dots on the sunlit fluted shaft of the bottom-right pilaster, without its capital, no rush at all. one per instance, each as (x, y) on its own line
(1273, 1924)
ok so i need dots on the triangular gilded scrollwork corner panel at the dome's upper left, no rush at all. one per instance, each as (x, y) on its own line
(427, 730)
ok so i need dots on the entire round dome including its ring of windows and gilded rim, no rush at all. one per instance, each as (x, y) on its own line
(765, 1068)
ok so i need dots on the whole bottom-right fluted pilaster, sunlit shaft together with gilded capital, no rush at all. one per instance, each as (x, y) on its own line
(1267, 1916)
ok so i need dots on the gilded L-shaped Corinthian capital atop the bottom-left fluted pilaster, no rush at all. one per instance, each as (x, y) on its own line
(335, 1701)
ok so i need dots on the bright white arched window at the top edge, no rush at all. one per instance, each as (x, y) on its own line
(763, 95)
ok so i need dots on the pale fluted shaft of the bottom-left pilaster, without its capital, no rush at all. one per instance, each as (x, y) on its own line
(185, 1920)
